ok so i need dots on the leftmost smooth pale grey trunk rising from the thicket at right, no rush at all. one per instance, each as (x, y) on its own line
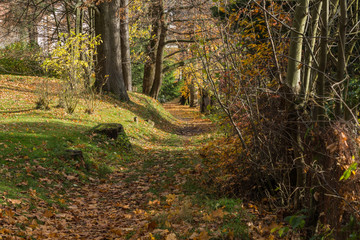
(293, 77)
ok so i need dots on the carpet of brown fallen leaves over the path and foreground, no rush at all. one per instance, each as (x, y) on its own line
(144, 200)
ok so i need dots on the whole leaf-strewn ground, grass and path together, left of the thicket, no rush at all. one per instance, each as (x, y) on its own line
(155, 192)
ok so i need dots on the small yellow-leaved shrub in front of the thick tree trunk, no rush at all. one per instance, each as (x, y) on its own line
(72, 61)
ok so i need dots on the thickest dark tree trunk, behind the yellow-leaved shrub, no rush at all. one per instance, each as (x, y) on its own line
(110, 75)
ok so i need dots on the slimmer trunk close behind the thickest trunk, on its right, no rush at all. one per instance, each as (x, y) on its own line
(125, 44)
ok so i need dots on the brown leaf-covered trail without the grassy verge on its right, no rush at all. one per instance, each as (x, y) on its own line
(118, 209)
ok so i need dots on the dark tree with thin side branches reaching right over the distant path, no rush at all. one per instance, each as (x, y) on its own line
(172, 24)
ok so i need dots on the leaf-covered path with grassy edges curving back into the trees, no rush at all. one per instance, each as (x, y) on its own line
(131, 204)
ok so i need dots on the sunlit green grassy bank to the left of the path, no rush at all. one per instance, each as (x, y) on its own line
(33, 142)
